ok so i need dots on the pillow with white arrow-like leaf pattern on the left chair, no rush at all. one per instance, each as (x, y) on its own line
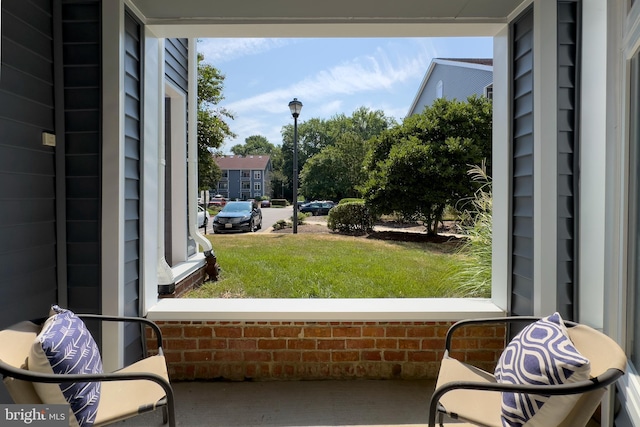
(65, 346)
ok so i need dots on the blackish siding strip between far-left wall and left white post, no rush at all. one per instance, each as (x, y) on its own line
(83, 146)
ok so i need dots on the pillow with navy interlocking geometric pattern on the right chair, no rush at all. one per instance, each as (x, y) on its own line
(541, 354)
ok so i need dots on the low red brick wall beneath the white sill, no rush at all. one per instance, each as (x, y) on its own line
(319, 350)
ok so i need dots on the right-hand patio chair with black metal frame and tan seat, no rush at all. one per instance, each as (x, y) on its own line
(467, 393)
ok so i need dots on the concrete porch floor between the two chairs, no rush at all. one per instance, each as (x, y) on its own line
(297, 403)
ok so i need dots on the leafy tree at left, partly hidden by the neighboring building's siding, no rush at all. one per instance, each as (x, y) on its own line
(212, 127)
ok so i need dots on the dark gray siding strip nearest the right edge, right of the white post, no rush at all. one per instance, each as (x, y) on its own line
(568, 102)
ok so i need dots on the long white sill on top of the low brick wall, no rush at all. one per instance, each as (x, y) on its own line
(330, 310)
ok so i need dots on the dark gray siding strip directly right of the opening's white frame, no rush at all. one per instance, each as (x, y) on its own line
(522, 151)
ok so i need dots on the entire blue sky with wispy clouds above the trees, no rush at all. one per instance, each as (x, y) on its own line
(328, 75)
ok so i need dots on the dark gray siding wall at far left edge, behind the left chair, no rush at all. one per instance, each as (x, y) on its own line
(28, 245)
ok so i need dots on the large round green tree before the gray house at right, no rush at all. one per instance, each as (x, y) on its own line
(420, 166)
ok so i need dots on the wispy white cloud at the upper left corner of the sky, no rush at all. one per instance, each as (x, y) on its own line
(219, 51)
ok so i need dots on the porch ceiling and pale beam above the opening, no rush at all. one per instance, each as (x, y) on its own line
(328, 18)
